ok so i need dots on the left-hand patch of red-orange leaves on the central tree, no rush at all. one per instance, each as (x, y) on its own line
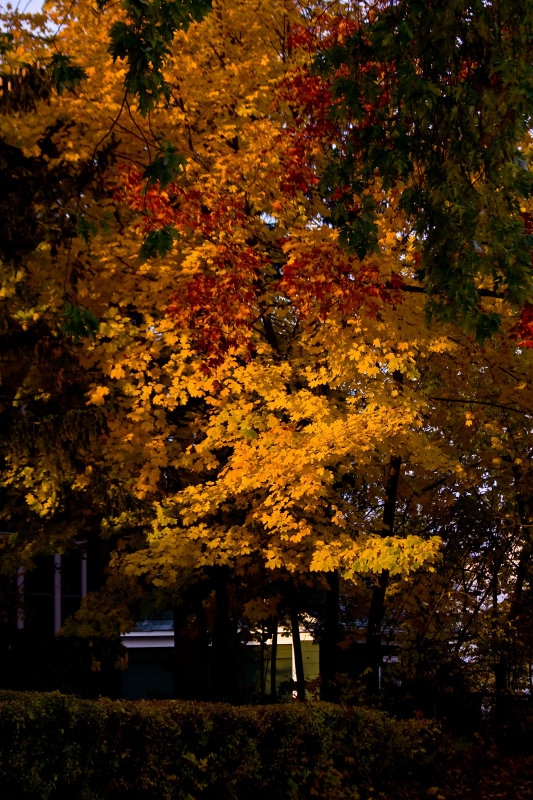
(217, 287)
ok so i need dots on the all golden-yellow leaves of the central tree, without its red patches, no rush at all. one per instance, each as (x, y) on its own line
(274, 444)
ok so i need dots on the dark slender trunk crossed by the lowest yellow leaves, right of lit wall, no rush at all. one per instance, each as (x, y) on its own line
(376, 613)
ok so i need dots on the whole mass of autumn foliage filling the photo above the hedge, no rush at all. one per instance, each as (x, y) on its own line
(223, 227)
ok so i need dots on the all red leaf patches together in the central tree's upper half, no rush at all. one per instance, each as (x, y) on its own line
(222, 273)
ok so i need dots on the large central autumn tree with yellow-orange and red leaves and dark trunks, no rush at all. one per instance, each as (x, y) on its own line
(271, 403)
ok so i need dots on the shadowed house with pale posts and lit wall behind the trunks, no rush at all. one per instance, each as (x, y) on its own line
(37, 604)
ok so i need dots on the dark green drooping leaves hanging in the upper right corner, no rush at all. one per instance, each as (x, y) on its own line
(438, 105)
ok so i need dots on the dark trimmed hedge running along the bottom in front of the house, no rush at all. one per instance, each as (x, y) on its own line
(58, 747)
